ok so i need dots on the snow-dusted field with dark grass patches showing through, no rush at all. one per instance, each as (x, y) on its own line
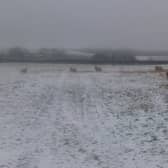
(52, 118)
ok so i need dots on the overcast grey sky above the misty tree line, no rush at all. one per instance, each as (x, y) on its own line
(138, 24)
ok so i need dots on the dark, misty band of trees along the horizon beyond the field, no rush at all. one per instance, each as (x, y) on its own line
(54, 55)
